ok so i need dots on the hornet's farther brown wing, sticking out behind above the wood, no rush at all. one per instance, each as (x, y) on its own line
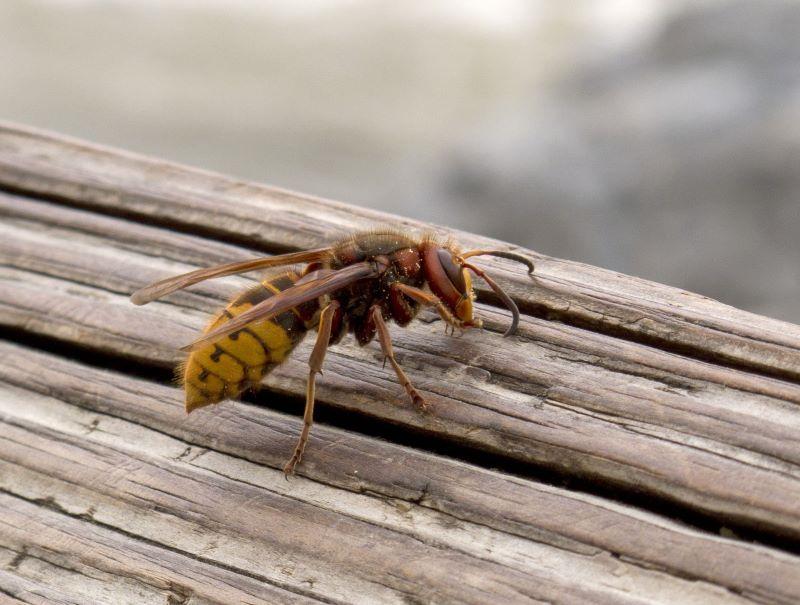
(179, 282)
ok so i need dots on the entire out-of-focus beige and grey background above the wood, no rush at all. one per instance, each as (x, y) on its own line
(656, 138)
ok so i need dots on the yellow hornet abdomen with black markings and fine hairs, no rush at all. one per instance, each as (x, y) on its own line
(239, 361)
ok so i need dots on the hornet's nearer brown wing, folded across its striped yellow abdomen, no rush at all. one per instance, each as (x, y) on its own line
(289, 298)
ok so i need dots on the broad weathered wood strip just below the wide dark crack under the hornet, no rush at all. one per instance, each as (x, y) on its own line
(72, 450)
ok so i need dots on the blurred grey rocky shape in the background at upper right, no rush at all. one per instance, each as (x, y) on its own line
(677, 161)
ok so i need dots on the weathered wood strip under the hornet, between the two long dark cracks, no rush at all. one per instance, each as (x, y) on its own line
(717, 440)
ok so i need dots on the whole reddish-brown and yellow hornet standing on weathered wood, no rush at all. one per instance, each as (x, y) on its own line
(354, 286)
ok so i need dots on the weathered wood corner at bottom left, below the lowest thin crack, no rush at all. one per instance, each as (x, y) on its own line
(90, 563)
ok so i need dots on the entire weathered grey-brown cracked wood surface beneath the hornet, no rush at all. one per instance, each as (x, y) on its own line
(675, 419)
